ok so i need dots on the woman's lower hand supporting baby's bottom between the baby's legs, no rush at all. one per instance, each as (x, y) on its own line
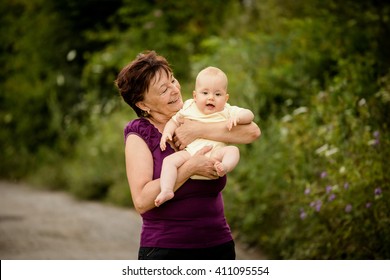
(202, 165)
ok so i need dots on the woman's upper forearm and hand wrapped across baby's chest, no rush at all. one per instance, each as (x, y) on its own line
(191, 130)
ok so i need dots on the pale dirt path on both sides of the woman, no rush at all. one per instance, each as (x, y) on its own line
(40, 224)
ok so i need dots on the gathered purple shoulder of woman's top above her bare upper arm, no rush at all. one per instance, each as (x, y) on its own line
(145, 130)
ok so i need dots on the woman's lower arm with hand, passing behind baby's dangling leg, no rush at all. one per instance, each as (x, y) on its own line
(139, 170)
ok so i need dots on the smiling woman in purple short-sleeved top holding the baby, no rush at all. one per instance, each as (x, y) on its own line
(192, 225)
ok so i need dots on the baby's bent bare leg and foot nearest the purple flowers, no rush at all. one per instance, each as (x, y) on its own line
(227, 158)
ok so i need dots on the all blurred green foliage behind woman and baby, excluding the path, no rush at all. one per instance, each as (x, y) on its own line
(315, 73)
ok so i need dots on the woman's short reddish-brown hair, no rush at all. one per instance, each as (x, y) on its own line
(134, 79)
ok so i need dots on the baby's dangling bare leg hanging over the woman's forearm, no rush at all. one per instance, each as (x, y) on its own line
(169, 175)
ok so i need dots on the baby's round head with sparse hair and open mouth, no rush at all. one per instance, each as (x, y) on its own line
(210, 92)
